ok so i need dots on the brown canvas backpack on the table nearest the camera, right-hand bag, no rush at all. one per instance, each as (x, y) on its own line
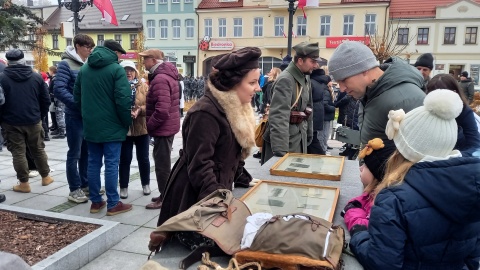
(315, 238)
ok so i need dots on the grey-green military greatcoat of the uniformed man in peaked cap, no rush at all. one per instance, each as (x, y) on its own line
(281, 136)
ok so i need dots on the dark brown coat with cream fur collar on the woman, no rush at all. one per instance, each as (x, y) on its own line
(218, 133)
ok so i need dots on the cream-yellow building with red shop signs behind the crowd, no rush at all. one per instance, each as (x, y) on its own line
(231, 25)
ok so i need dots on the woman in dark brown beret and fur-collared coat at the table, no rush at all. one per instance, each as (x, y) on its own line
(218, 133)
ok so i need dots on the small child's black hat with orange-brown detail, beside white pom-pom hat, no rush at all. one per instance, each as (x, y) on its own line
(376, 154)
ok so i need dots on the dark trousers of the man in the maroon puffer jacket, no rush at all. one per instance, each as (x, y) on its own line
(162, 148)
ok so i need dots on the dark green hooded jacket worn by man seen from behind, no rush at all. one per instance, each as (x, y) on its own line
(103, 94)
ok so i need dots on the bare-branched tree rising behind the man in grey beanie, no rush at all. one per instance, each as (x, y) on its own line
(387, 45)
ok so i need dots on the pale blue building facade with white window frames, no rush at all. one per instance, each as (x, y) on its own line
(171, 26)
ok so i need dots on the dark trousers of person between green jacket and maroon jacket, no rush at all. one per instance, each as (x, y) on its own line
(142, 143)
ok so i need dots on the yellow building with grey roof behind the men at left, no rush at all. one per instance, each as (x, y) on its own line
(129, 19)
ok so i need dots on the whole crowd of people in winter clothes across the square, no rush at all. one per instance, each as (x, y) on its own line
(419, 137)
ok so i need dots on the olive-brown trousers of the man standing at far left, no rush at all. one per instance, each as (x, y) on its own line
(21, 137)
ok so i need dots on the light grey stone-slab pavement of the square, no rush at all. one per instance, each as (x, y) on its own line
(136, 225)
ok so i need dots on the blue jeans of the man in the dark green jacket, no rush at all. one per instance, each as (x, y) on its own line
(111, 152)
